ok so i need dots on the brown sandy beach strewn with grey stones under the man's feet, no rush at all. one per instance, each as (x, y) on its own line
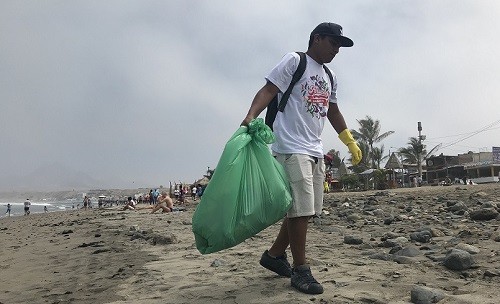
(370, 247)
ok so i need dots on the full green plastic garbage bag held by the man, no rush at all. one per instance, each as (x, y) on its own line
(248, 191)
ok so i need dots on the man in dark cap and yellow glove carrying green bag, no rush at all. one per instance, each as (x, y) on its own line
(299, 148)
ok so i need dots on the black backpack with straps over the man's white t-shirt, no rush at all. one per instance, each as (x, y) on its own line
(275, 105)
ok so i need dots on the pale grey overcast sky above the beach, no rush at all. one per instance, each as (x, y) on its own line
(140, 93)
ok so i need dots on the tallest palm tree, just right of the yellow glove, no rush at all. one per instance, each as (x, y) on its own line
(369, 133)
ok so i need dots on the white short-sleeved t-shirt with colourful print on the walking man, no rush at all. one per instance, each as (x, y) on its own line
(298, 128)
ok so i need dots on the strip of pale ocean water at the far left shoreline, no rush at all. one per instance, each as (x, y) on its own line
(17, 208)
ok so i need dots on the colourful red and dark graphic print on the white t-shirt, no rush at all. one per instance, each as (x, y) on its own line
(316, 92)
